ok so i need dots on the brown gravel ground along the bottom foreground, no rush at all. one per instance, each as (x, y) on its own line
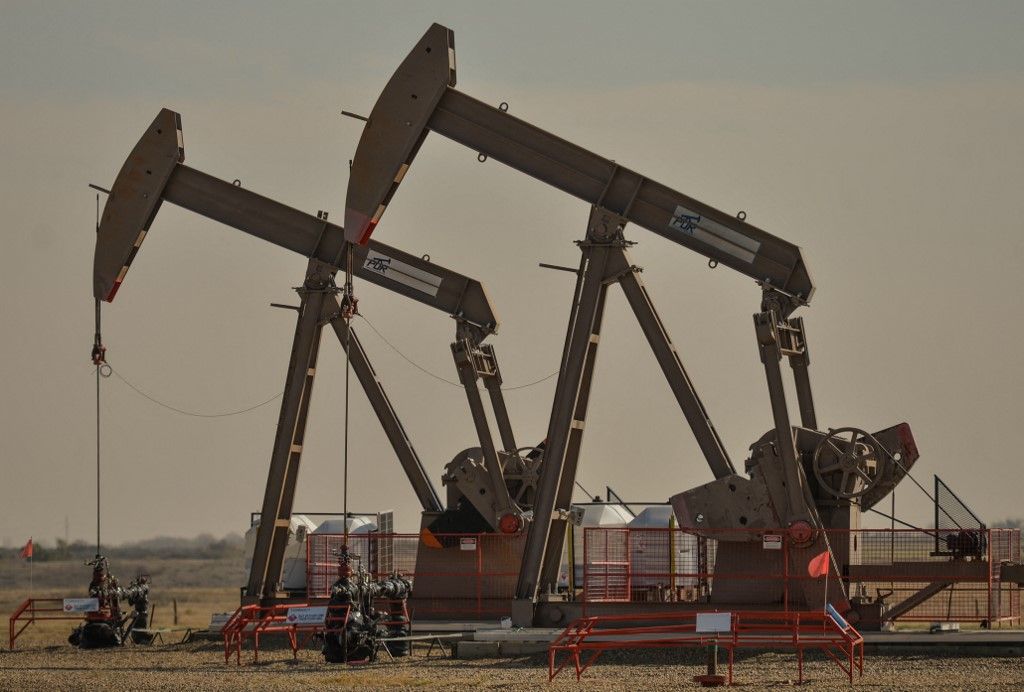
(201, 667)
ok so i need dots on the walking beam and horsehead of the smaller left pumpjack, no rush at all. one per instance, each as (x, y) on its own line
(155, 172)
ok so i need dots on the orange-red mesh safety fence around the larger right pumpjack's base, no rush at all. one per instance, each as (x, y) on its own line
(903, 567)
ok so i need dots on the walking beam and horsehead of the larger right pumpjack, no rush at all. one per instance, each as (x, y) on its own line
(421, 97)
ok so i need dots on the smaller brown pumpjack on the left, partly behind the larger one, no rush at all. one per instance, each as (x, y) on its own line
(490, 488)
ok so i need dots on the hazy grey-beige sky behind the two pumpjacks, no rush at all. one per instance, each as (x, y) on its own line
(884, 139)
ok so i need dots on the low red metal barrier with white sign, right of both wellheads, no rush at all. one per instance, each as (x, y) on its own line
(764, 630)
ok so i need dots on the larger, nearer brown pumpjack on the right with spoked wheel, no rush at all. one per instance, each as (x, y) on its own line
(798, 478)
